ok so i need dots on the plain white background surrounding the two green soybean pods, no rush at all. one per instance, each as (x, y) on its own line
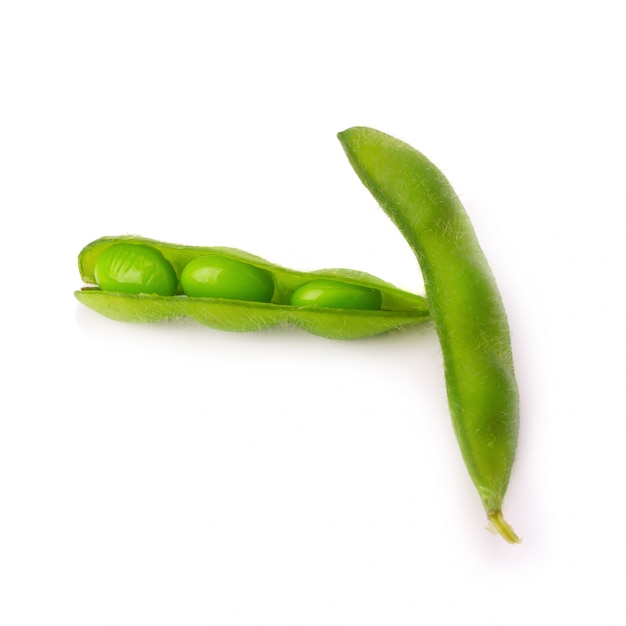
(176, 474)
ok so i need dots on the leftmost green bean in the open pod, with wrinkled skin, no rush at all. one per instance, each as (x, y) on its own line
(136, 269)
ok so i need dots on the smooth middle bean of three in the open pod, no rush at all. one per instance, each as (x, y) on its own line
(217, 276)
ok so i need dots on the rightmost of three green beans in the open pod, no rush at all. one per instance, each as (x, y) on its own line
(336, 295)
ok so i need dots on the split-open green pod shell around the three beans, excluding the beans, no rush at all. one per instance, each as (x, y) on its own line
(398, 308)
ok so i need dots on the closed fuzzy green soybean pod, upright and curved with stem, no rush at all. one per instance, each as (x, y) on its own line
(464, 302)
